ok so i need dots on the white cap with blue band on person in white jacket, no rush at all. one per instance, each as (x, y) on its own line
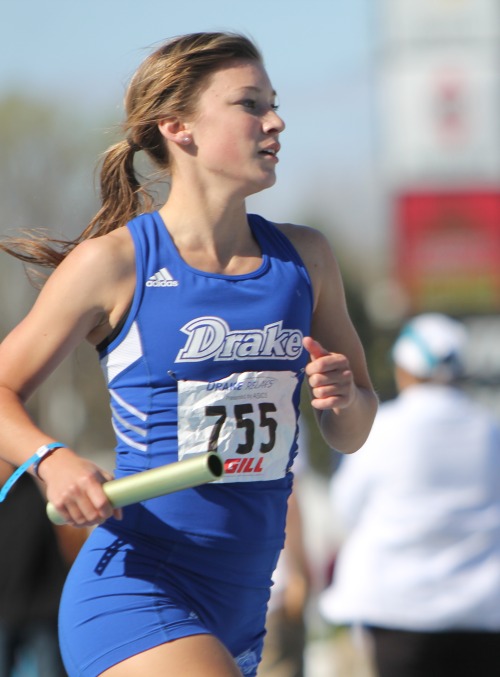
(431, 345)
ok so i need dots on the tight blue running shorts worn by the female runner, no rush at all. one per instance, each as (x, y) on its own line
(126, 594)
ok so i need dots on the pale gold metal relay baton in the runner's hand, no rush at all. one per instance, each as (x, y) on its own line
(156, 482)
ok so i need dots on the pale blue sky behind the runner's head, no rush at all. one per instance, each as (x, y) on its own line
(320, 55)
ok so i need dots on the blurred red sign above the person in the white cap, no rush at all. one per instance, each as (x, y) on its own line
(448, 250)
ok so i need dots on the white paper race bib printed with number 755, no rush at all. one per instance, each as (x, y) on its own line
(248, 418)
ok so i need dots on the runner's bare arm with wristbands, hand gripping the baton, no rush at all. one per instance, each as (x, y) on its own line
(81, 300)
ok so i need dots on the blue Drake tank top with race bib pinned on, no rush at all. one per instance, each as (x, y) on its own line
(207, 360)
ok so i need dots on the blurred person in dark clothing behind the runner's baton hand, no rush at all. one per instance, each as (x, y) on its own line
(34, 561)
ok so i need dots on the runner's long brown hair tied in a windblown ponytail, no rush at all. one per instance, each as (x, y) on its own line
(165, 85)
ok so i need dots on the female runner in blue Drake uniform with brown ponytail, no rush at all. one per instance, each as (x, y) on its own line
(205, 319)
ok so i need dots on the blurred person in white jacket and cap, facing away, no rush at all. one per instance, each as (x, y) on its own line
(420, 502)
